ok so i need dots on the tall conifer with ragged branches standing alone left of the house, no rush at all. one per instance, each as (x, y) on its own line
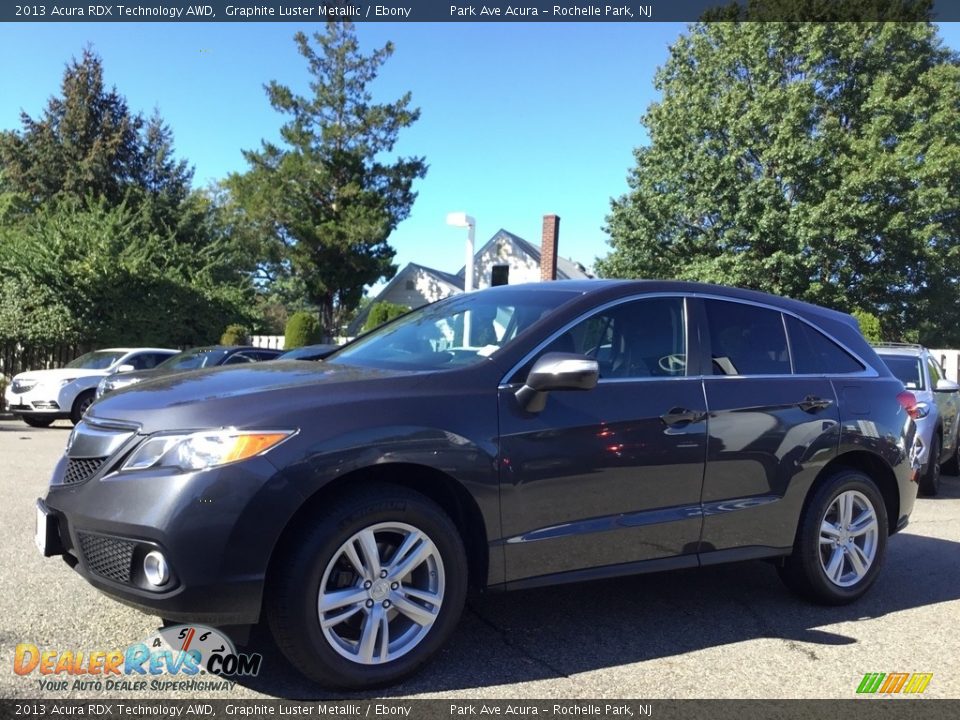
(332, 194)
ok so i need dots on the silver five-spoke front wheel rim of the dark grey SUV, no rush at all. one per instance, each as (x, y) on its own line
(381, 593)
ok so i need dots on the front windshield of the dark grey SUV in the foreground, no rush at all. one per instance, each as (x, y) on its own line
(459, 331)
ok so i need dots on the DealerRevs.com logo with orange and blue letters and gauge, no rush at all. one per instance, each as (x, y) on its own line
(170, 660)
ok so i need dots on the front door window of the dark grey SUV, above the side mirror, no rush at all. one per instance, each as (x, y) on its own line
(643, 338)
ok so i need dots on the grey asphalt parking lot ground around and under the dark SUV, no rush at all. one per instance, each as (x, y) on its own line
(731, 631)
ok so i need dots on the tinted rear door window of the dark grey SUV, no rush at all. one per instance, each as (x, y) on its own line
(746, 340)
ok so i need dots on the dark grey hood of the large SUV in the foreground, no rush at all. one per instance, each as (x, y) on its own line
(256, 395)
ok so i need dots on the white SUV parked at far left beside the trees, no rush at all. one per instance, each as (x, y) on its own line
(39, 397)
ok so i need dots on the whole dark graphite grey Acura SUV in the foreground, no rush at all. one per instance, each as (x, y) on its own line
(512, 437)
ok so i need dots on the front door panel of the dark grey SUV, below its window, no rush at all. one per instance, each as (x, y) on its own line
(597, 478)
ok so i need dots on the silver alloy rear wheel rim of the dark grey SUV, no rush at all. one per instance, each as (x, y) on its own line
(849, 535)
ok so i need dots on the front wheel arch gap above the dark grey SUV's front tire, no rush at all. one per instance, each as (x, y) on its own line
(434, 484)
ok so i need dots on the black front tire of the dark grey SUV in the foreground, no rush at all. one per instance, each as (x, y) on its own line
(315, 551)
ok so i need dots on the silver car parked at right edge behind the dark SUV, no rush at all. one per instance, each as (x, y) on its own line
(938, 409)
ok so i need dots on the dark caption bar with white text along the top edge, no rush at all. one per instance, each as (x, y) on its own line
(490, 11)
